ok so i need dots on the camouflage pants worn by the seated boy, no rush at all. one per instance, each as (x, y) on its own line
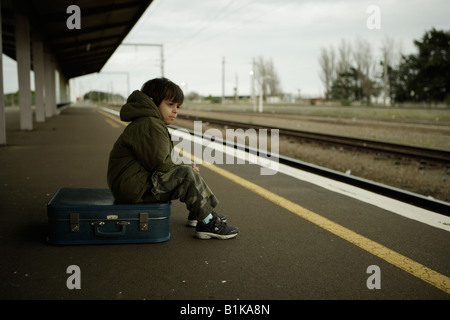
(184, 183)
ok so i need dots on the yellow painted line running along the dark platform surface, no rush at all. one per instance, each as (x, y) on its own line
(416, 269)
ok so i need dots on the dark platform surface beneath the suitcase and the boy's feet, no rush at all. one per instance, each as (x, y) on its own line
(278, 255)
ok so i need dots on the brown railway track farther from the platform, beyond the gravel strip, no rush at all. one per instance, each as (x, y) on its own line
(385, 147)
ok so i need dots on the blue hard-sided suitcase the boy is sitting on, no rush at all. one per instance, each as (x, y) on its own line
(91, 216)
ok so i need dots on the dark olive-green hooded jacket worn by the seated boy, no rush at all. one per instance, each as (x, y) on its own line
(144, 147)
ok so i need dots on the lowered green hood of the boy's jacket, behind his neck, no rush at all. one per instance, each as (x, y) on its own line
(139, 105)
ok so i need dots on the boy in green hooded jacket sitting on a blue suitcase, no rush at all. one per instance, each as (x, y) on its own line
(140, 167)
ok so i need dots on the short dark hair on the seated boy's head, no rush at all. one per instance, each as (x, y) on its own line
(160, 89)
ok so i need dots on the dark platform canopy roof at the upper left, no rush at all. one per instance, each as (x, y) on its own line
(104, 25)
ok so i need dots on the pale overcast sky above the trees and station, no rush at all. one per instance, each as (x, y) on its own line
(197, 35)
